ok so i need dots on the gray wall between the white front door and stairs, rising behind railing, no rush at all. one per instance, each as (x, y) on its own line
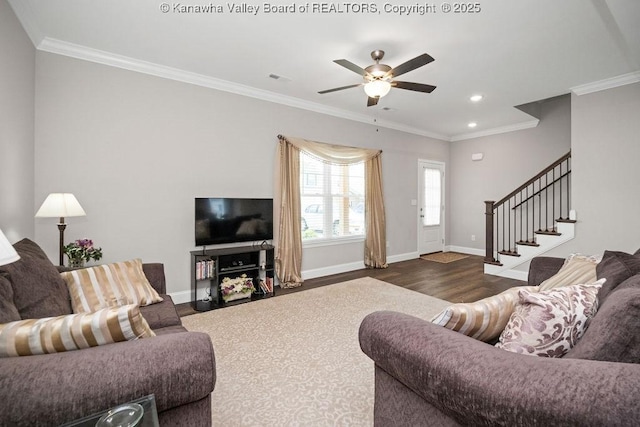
(509, 160)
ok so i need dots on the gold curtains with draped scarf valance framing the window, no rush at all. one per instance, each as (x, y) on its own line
(287, 216)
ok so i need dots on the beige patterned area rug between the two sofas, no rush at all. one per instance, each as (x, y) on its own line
(295, 360)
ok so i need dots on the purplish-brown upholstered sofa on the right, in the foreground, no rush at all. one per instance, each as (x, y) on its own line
(428, 375)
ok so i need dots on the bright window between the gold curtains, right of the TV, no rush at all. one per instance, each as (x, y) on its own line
(331, 199)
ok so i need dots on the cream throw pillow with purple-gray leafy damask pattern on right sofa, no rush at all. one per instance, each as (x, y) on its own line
(550, 322)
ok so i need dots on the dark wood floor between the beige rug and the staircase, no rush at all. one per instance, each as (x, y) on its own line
(458, 281)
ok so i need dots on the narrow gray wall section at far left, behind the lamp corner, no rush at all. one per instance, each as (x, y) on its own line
(17, 68)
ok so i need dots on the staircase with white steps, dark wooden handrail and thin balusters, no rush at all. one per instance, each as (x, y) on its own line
(531, 220)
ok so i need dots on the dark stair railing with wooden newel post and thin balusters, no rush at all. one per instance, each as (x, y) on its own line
(531, 209)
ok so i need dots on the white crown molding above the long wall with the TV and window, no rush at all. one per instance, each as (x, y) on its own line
(119, 61)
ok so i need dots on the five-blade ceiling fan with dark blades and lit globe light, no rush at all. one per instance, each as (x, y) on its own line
(379, 78)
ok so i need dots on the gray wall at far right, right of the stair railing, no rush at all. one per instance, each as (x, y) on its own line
(605, 155)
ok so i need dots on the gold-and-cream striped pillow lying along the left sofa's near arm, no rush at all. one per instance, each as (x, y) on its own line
(73, 331)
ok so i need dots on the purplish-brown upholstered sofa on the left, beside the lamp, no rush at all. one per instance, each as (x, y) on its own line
(175, 365)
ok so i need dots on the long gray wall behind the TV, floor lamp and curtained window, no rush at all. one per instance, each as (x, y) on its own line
(137, 149)
